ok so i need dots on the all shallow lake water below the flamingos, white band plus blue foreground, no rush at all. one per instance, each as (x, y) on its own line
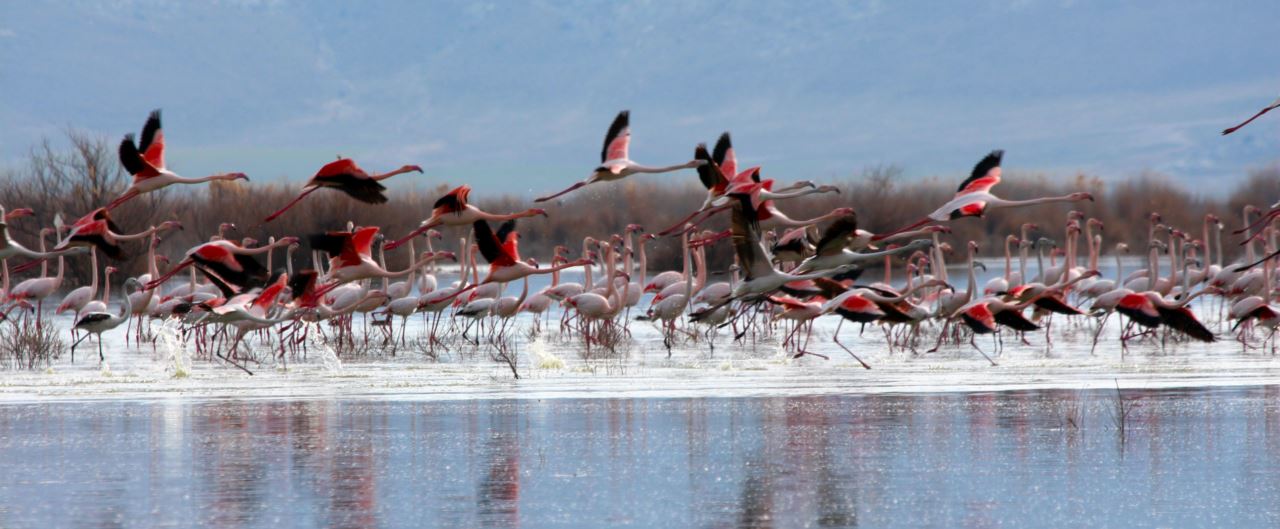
(738, 436)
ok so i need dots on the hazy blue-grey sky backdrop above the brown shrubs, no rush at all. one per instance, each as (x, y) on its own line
(516, 97)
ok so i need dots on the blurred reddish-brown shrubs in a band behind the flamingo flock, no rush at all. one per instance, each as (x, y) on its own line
(86, 175)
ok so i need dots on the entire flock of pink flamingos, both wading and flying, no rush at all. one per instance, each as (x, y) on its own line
(788, 272)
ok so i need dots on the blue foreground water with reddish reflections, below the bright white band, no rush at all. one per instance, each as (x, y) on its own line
(1191, 458)
